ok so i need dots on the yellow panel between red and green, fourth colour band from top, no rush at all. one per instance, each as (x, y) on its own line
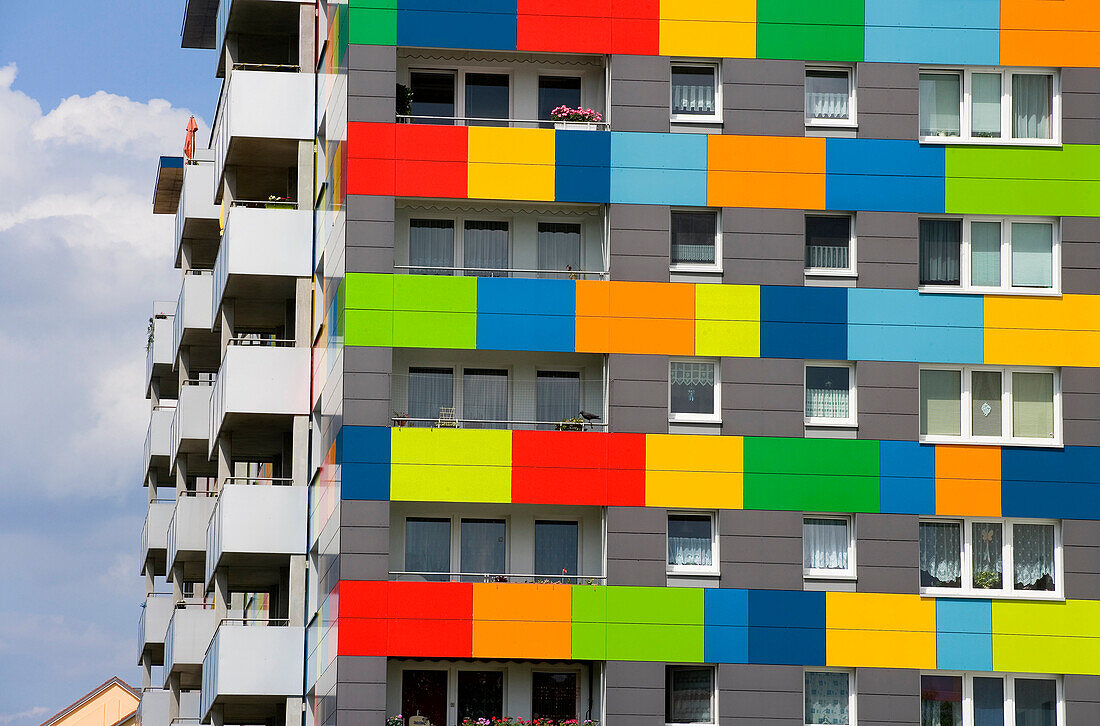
(695, 471)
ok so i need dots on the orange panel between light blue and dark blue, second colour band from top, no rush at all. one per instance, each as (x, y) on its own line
(773, 172)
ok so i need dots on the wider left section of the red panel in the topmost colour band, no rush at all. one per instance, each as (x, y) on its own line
(565, 26)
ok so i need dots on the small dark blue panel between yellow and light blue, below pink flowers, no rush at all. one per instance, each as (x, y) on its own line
(584, 167)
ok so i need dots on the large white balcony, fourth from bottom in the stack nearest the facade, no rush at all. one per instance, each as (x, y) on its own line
(262, 251)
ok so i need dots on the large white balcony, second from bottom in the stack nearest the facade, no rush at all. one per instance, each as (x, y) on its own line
(256, 521)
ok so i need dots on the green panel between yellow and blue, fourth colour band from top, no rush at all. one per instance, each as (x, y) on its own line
(811, 475)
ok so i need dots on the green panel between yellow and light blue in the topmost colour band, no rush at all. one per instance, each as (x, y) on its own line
(810, 30)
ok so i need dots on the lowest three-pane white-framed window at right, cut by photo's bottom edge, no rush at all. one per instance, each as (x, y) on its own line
(991, 700)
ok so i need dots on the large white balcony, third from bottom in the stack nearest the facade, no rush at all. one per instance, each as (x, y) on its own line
(265, 379)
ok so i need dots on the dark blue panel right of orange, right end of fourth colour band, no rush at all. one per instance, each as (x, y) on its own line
(1060, 485)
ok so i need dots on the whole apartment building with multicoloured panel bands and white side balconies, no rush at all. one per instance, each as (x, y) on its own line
(642, 364)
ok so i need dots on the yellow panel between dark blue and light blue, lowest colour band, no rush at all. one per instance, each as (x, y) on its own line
(878, 631)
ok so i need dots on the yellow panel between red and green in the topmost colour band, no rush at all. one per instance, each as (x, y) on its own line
(723, 29)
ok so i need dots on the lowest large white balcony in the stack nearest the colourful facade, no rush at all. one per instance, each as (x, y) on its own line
(247, 666)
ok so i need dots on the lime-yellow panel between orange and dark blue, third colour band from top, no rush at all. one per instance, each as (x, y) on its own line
(728, 321)
